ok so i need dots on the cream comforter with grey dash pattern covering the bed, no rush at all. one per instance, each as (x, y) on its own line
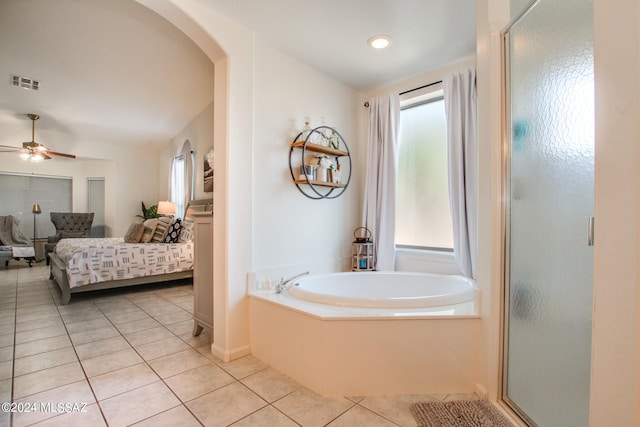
(95, 260)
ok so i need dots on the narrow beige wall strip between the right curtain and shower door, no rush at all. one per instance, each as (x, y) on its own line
(491, 18)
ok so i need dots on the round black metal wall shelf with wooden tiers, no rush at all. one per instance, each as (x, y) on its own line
(321, 141)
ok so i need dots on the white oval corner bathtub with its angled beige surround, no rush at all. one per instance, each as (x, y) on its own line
(345, 334)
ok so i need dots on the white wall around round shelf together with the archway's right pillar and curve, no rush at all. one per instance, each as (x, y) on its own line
(250, 176)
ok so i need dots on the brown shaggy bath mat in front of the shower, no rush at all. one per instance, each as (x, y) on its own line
(458, 413)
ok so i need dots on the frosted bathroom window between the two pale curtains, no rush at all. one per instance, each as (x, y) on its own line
(423, 215)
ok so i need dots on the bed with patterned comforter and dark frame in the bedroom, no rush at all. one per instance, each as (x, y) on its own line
(89, 264)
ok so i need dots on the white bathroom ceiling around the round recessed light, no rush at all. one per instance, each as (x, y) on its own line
(331, 35)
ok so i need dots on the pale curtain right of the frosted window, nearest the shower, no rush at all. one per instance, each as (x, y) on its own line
(460, 98)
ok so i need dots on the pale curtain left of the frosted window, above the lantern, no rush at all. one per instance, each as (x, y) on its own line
(380, 185)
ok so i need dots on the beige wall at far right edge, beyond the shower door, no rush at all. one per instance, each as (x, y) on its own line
(615, 366)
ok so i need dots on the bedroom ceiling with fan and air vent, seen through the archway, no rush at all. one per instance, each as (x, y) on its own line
(111, 71)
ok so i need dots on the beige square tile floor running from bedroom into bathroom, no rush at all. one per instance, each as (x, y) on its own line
(127, 357)
